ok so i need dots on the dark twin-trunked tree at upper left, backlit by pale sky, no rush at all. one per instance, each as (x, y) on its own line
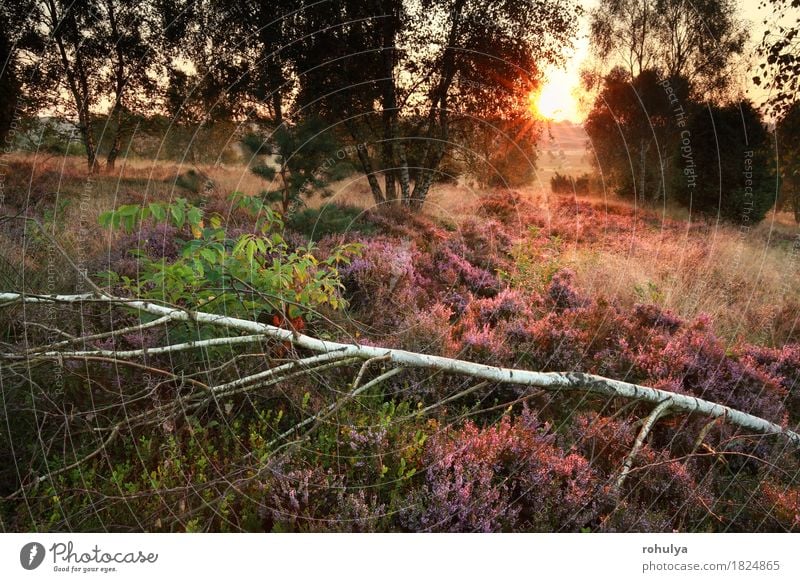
(96, 50)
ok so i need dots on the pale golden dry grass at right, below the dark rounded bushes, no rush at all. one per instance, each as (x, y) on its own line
(744, 279)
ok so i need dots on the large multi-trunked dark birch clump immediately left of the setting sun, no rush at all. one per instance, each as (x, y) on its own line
(398, 77)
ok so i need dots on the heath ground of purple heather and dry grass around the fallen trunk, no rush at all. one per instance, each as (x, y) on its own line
(523, 279)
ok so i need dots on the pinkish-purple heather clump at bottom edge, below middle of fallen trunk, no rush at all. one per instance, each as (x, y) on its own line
(506, 476)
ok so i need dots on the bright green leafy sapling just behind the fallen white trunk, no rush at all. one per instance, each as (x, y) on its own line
(240, 276)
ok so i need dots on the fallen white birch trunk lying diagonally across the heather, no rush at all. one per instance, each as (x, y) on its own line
(552, 381)
